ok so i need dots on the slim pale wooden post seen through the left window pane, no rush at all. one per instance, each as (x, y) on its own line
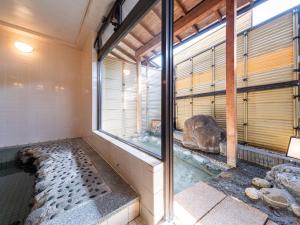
(138, 96)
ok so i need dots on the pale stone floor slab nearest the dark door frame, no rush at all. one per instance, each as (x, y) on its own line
(193, 203)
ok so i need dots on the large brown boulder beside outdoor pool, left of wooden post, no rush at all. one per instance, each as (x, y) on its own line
(202, 133)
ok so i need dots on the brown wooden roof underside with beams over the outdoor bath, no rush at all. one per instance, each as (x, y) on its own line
(190, 16)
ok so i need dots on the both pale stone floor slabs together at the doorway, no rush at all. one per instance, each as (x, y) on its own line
(202, 204)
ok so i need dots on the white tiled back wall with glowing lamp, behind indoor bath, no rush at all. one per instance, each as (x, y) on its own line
(38, 91)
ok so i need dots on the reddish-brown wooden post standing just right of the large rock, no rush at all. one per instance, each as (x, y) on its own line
(231, 108)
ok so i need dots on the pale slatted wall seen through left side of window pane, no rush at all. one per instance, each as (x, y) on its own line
(119, 97)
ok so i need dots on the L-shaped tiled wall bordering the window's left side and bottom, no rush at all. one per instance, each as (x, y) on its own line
(144, 173)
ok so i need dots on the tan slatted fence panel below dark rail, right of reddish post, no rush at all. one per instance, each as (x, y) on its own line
(270, 118)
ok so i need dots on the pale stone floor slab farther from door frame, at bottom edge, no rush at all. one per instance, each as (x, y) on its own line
(232, 211)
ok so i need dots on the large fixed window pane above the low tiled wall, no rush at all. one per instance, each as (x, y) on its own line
(131, 86)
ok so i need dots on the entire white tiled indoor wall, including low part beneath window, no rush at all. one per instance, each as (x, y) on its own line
(48, 95)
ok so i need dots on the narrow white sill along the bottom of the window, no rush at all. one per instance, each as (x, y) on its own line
(150, 160)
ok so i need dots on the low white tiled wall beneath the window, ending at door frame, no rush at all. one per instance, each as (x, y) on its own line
(142, 172)
